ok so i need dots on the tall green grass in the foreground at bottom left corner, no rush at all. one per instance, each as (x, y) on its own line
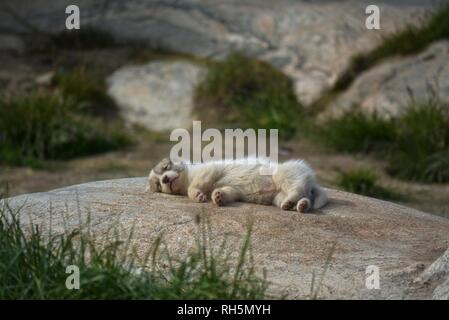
(33, 266)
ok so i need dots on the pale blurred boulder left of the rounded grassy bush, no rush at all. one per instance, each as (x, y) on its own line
(158, 95)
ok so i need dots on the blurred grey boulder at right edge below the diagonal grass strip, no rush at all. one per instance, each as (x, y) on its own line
(391, 86)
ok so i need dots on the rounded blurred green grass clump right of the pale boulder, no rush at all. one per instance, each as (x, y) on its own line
(248, 93)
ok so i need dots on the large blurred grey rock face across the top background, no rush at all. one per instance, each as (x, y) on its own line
(312, 42)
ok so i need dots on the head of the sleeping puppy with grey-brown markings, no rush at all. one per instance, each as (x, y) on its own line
(166, 177)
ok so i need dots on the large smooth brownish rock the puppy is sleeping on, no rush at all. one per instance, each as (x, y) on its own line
(291, 247)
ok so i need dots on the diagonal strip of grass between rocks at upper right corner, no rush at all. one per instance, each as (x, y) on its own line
(412, 39)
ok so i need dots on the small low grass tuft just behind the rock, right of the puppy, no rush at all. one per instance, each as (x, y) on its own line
(364, 182)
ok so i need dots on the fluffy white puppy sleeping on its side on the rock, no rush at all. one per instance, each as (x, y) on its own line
(290, 186)
